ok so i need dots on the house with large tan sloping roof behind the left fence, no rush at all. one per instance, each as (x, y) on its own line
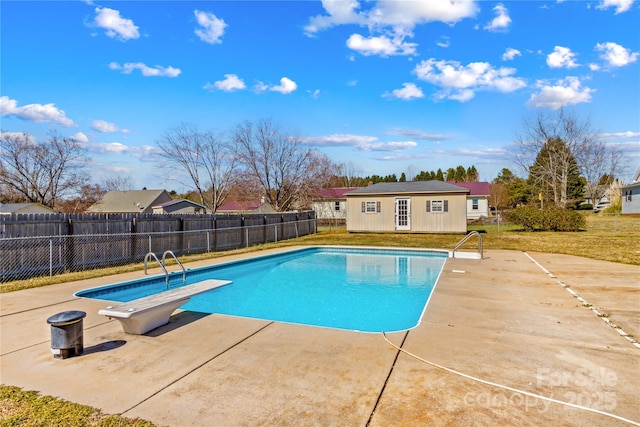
(135, 201)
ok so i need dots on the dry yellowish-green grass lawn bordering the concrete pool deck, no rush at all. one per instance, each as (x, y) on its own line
(612, 238)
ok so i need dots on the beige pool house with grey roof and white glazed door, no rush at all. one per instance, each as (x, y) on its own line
(412, 207)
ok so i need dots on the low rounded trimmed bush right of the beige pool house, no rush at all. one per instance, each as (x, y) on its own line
(534, 219)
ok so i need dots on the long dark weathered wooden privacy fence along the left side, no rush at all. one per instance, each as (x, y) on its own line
(45, 245)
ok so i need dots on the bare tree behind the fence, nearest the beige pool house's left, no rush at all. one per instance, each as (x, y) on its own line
(284, 167)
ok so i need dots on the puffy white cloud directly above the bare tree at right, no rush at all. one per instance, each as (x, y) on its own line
(568, 91)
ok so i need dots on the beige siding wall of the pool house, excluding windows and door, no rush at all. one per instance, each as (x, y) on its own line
(421, 221)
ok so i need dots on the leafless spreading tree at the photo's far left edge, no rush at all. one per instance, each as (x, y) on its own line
(41, 172)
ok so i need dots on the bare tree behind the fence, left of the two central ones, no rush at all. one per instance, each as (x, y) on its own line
(208, 158)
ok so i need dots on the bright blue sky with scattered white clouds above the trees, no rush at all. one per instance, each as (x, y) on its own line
(386, 86)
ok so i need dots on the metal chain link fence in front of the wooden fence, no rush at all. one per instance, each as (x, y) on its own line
(23, 258)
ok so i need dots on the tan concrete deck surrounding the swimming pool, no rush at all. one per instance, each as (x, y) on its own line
(508, 319)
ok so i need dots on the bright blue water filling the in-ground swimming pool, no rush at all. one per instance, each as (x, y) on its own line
(368, 290)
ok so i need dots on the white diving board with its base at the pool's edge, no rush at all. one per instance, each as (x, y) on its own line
(141, 315)
